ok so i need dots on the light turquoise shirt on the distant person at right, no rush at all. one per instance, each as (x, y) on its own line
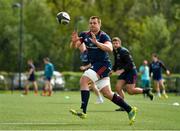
(144, 72)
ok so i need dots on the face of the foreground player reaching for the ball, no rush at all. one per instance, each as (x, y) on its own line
(94, 25)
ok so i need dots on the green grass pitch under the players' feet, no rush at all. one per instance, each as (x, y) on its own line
(18, 112)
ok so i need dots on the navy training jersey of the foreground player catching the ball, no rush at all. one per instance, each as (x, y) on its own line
(94, 53)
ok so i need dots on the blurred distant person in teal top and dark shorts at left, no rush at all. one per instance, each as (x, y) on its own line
(48, 73)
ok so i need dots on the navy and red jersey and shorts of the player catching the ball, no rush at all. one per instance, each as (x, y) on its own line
(97, 57)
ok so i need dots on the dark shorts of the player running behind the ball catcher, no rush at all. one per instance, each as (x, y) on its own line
(130, 77)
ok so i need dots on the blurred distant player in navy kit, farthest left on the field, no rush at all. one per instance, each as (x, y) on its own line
(31, 78)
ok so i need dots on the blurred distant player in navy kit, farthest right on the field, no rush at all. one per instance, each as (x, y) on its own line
(156, 67)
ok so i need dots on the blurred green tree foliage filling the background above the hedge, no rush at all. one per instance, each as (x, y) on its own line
(144, 26)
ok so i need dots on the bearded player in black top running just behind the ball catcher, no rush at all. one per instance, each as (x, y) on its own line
(124, 66)
